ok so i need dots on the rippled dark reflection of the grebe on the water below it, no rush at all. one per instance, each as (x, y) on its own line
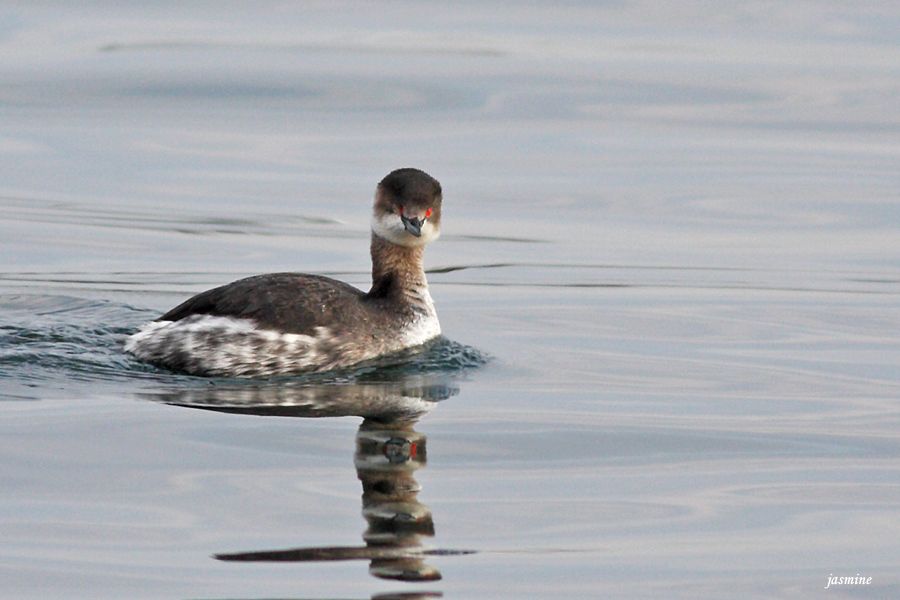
(388, 453)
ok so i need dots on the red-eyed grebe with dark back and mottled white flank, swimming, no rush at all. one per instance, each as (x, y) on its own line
(286, 323)
